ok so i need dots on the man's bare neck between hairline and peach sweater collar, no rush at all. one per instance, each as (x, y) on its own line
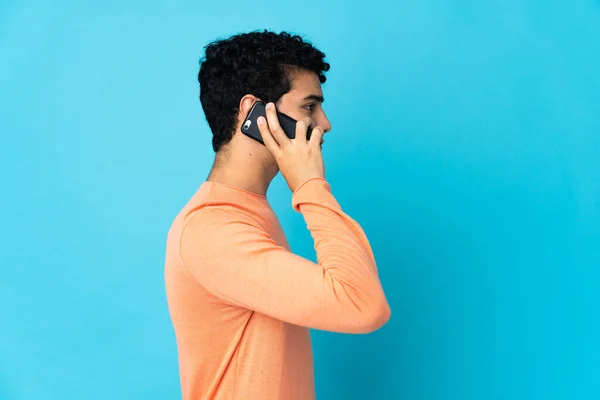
(242, 169)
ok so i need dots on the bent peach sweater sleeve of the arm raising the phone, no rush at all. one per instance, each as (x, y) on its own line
(236, 260)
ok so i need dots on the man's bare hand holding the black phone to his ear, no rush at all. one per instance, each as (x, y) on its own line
(299, 160)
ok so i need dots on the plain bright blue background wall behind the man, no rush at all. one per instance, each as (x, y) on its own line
(466, 141)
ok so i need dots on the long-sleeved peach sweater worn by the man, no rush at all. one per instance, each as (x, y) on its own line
(242, 304)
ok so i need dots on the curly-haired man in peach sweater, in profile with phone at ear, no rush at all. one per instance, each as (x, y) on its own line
(241, 303)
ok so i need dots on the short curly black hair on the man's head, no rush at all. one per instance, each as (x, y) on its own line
(257, 63)
